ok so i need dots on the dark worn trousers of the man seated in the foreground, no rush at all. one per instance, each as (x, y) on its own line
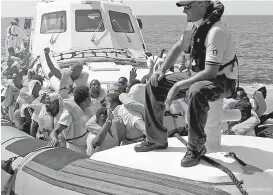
(197, 97)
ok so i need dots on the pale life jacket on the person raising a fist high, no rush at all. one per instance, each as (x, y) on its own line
(66, 91)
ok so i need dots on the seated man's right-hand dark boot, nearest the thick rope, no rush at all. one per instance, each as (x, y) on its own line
(192, 157)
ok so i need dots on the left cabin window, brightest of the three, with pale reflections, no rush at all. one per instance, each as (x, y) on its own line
(54, 22)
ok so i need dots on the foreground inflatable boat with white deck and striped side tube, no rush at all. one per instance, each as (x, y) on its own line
(43, 170)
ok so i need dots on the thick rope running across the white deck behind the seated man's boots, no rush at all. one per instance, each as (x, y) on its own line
(238, 184)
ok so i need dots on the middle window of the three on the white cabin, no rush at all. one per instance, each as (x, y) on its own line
(88, 21)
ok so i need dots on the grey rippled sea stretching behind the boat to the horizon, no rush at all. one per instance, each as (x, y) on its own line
(252, 35)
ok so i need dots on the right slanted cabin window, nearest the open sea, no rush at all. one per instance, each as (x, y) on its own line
(121, 22)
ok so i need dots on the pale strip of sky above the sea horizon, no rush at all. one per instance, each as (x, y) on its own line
(22, 8)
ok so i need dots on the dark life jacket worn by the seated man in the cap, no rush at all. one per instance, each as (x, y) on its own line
(197, 49)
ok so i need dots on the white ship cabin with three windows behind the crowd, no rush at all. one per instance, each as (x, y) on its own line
(64, 25)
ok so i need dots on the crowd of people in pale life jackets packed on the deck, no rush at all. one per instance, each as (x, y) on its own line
(88, 118)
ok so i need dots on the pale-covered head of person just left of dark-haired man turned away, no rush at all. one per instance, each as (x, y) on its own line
(52, 102)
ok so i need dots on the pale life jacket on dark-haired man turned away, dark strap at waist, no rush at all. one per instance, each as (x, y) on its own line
(80, 118)
